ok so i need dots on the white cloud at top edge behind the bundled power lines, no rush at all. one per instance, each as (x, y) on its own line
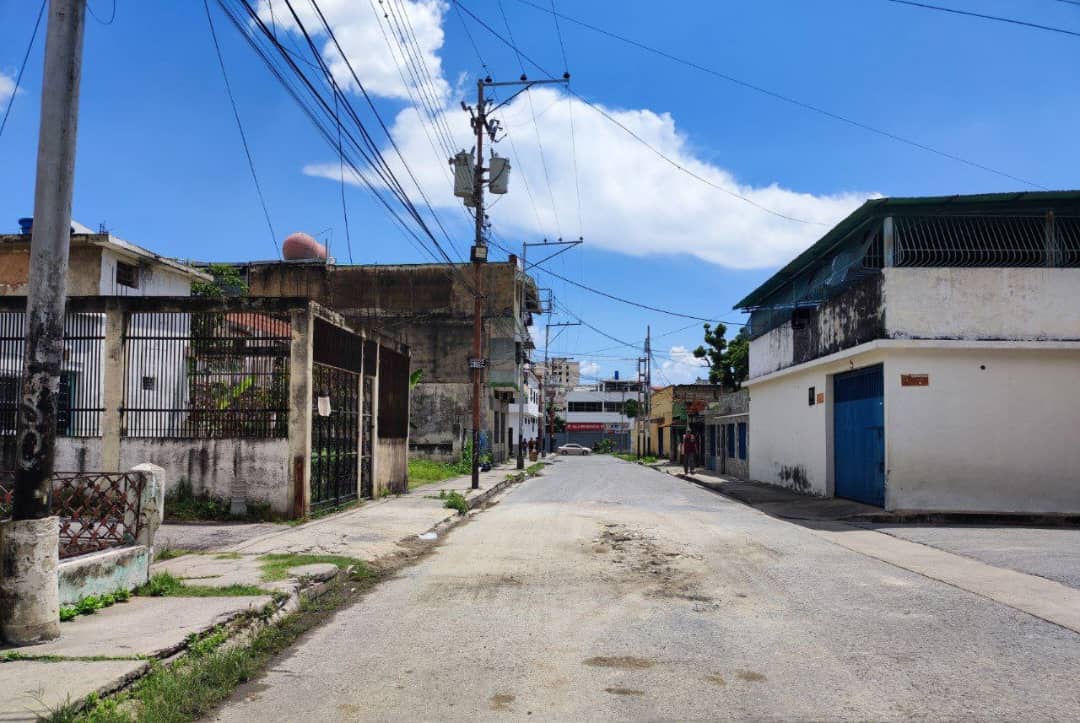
(369, 39)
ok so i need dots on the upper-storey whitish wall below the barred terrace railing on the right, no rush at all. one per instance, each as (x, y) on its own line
(982, 303)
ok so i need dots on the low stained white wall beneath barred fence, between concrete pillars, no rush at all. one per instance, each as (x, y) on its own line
(217, 466)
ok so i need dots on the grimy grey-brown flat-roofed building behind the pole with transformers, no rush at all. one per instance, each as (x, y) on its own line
(430, 309)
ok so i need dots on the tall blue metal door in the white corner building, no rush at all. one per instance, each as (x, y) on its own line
(859, 435)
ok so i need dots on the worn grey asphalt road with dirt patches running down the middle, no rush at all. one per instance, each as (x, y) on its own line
(607, 592)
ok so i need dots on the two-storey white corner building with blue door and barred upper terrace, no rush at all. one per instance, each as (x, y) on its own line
(924, 355)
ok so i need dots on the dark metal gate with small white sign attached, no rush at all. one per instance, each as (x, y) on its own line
(335, 437)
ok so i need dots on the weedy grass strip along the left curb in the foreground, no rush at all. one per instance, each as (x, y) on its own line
(196, 685)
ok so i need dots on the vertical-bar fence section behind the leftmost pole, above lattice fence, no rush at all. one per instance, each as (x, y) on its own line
(80, 405)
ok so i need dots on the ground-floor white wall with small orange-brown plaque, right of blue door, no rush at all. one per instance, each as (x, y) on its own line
(996, 431)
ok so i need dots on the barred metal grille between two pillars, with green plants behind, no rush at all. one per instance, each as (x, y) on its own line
(218, 376)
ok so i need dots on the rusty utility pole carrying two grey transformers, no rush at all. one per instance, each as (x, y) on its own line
(482, 126)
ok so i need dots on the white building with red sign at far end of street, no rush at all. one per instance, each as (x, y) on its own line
(598, 412)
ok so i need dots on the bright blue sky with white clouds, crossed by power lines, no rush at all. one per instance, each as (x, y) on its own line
(160, 160)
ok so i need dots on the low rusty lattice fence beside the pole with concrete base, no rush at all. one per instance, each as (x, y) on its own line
(98, 511)
